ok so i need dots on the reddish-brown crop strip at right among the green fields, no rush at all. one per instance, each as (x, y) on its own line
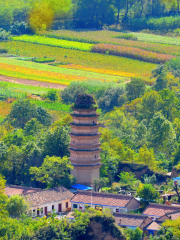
(130, 52)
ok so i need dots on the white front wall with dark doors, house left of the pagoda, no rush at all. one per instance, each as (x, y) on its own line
(35, 209)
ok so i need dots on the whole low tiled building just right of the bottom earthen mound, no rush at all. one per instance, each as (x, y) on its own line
(132, 221)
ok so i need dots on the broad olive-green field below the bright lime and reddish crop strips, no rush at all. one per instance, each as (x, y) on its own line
(70, 56)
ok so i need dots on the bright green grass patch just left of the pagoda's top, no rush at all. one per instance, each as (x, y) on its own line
(58, 106)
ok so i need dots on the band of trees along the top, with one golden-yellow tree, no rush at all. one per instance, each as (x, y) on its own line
(133, 14)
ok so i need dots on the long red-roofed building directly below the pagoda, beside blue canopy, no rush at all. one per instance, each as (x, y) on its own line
(100, 201)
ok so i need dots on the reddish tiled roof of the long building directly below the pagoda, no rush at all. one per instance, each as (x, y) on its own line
(105, 199)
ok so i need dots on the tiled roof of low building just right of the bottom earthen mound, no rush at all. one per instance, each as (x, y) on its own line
(127, 219)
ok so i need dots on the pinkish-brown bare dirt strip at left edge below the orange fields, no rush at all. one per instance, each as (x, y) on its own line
(31, 82)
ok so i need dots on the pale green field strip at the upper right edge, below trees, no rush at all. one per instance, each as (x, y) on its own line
(146, 37)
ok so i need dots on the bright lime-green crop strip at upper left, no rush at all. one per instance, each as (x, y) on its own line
(54, 42)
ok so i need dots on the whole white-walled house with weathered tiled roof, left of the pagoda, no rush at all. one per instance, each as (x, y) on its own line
(46, 201)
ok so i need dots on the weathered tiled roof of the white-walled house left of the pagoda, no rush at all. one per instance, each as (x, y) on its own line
(48, 196)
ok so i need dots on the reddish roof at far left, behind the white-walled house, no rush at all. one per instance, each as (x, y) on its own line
(17, 190)
